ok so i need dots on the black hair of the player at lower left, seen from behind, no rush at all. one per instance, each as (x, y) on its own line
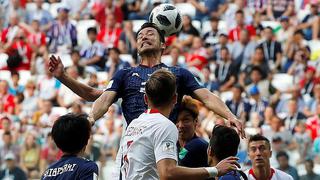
(71, 132)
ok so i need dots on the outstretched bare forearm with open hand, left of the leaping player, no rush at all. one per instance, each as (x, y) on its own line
(86, 92)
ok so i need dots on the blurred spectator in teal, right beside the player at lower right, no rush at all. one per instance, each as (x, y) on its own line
(283, 159)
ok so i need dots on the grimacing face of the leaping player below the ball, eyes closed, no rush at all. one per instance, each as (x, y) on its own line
(148, 41)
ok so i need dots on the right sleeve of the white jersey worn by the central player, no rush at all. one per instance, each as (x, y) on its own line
(165, 142)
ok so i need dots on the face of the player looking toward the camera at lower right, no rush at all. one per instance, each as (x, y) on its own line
(259, 153)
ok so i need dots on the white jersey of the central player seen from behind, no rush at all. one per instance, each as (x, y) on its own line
(148, 139)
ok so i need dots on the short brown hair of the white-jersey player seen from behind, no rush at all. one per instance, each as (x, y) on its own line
(161, 87)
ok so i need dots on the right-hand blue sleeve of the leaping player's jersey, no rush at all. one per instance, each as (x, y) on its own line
(189, 82)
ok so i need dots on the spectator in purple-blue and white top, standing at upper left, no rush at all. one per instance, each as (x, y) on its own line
(62, 33)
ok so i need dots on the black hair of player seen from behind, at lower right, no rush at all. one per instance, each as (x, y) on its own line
(224, 142)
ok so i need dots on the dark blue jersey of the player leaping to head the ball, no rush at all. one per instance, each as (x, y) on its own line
(130, 86)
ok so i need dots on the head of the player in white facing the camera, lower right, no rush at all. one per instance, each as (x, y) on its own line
(259, 151)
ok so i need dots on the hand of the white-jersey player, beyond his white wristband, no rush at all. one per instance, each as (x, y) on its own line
(226, 165)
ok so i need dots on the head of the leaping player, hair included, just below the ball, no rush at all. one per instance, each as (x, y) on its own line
(150, 39)
